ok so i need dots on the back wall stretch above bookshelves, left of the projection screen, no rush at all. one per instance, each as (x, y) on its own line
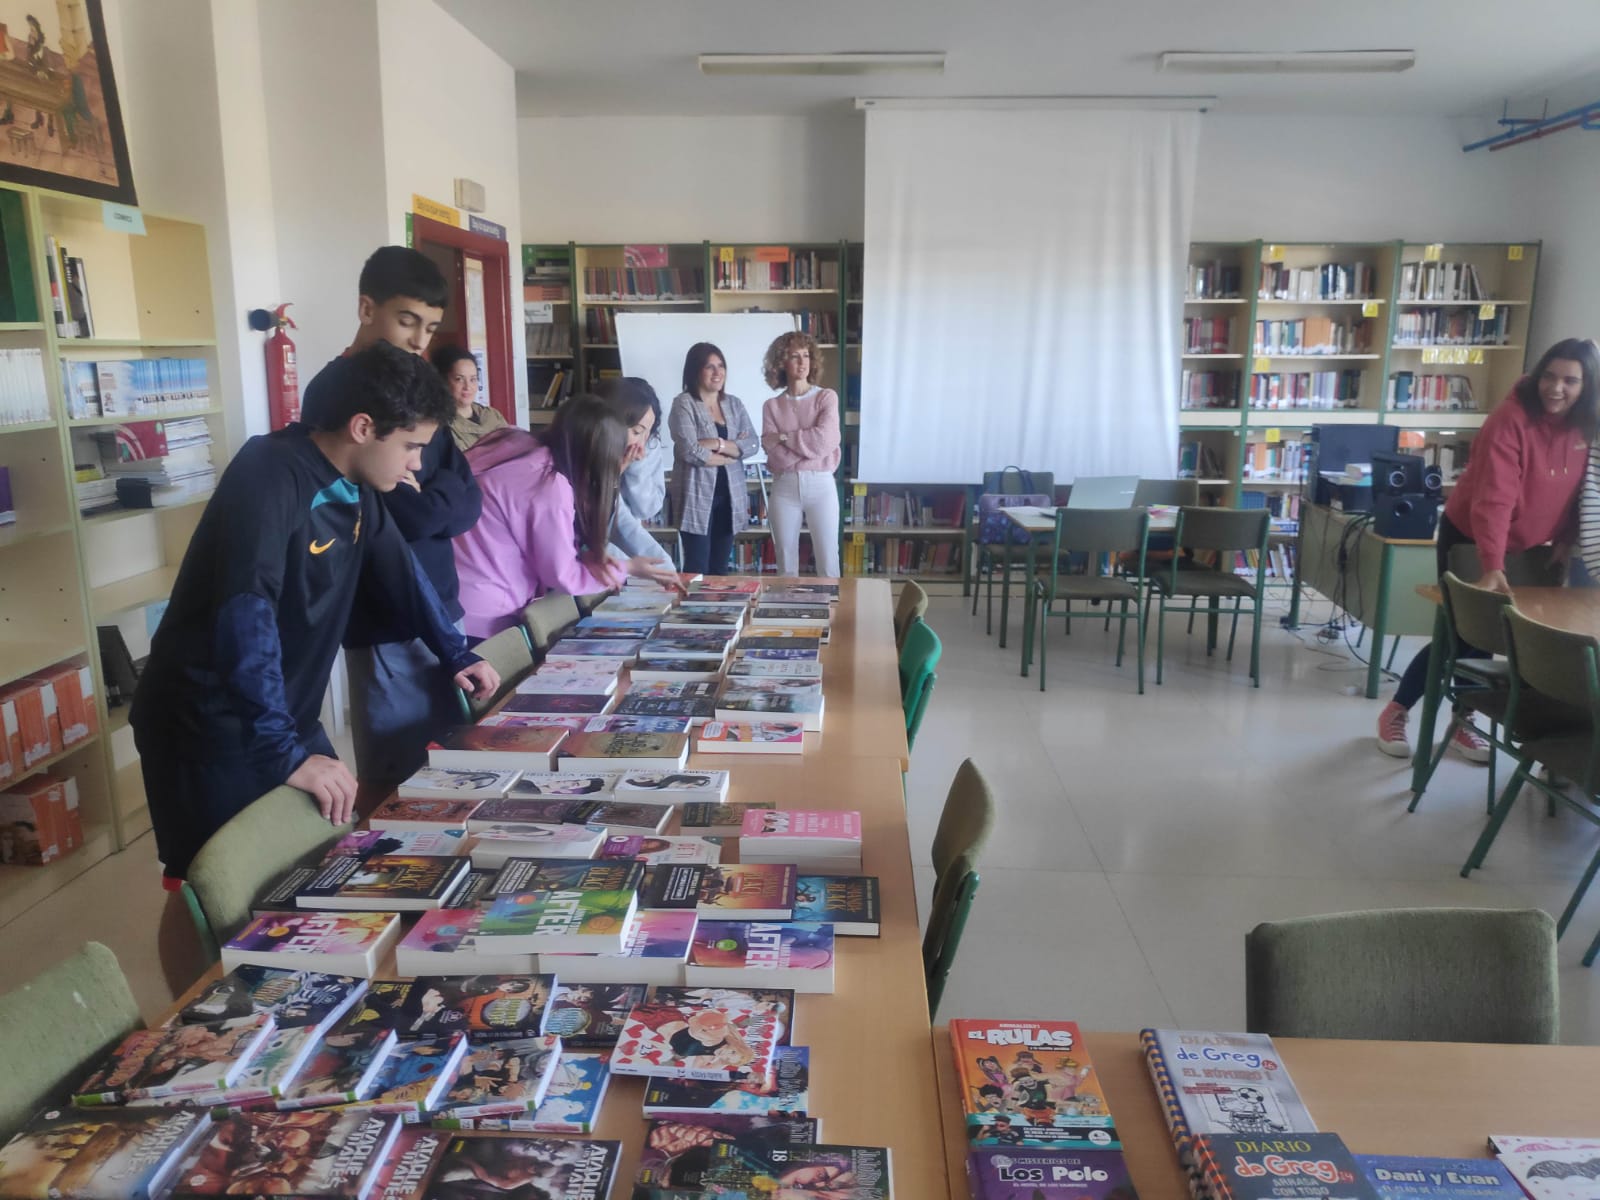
(692, 178)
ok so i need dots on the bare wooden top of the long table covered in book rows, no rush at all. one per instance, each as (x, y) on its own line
(873, 1076)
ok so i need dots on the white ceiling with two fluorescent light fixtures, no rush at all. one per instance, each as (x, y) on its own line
(638, 57)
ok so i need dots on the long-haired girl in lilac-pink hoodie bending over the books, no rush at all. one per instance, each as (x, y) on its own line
(548, 505)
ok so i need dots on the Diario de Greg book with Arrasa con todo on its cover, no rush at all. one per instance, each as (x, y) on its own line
(1279, 1167)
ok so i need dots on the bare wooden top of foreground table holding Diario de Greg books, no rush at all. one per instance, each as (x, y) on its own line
(1423, 1098)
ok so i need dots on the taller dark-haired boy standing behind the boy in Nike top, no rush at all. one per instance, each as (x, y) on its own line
(401, 695)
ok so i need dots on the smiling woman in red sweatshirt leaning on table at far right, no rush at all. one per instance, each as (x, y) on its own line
(1519, 492)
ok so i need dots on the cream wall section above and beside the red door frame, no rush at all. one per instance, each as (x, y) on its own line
(450, 111)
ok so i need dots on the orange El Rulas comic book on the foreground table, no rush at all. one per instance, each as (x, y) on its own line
(1031, 1084)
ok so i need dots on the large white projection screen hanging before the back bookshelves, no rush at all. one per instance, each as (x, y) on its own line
(1023, 292)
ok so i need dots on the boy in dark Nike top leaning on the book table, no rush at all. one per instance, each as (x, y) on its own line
(228, 706)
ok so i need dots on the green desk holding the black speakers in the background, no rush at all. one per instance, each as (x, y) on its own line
(1372, 578)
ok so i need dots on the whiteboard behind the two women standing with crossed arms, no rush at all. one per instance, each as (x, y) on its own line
(654, 346)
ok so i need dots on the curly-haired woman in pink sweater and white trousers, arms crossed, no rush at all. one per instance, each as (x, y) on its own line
(801, 438)
